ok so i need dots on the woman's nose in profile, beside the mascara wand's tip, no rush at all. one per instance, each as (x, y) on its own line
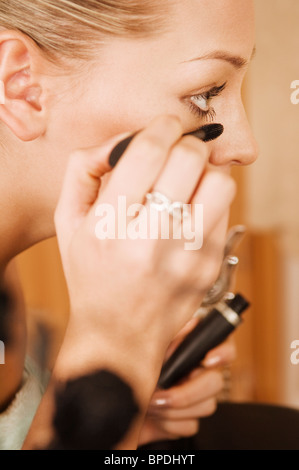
(237, 145)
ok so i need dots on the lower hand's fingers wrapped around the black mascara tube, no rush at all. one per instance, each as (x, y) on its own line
(175, 413)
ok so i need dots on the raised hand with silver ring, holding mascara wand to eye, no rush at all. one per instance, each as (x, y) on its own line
(130, 298)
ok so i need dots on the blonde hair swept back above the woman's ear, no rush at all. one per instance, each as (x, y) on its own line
(69, 28)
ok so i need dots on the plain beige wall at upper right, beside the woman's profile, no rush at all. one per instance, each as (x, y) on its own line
(273, 189)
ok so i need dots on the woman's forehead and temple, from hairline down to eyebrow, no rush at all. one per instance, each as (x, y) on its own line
(194, 28)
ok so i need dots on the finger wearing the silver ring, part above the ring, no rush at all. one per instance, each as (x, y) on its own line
(183, 170)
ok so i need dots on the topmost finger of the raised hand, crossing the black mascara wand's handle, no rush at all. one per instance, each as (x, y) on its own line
(143, 161)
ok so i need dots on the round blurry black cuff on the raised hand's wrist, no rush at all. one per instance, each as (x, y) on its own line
(93, 412)
